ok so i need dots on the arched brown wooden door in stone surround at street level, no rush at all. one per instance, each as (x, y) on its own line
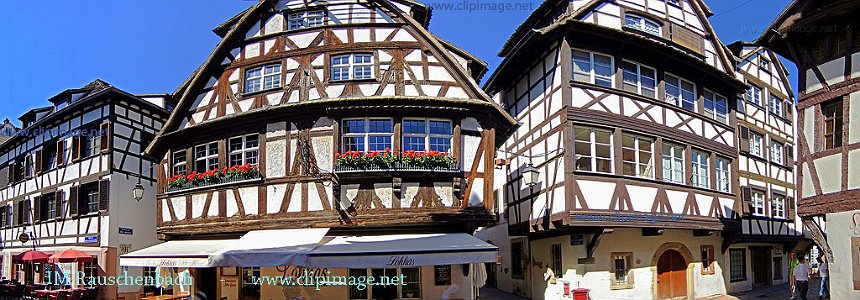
(671, 276)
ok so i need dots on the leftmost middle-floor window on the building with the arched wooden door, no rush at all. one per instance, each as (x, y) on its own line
(593, 149)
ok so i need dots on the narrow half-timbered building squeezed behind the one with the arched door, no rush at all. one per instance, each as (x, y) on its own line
(766, 129)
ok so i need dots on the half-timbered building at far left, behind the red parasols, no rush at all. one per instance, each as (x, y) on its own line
(65, 183)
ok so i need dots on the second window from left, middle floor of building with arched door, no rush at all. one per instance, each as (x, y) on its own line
(638, 155)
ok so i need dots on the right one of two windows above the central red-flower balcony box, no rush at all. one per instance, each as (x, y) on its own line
(427, 135)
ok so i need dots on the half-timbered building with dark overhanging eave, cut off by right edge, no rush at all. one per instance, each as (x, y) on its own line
(823, 39)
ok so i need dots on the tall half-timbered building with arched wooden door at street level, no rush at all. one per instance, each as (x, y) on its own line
(627, 110)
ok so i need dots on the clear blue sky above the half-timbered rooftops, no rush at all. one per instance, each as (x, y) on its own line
(151, 46)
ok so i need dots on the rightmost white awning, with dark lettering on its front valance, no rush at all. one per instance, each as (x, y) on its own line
(402, 250)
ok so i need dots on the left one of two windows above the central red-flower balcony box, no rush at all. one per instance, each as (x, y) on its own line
(367, 134)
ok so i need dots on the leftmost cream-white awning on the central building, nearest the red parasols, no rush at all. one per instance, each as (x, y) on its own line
(187, 254)
